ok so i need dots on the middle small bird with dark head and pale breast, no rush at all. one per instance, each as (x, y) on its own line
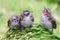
(27, 18)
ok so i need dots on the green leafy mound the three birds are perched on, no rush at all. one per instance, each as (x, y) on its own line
(36, 32)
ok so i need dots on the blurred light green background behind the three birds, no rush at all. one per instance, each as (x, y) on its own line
(9, 7)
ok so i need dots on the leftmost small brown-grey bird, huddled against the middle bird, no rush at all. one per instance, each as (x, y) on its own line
(14, 22)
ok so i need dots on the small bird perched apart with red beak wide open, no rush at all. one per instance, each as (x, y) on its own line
(47, 20)
